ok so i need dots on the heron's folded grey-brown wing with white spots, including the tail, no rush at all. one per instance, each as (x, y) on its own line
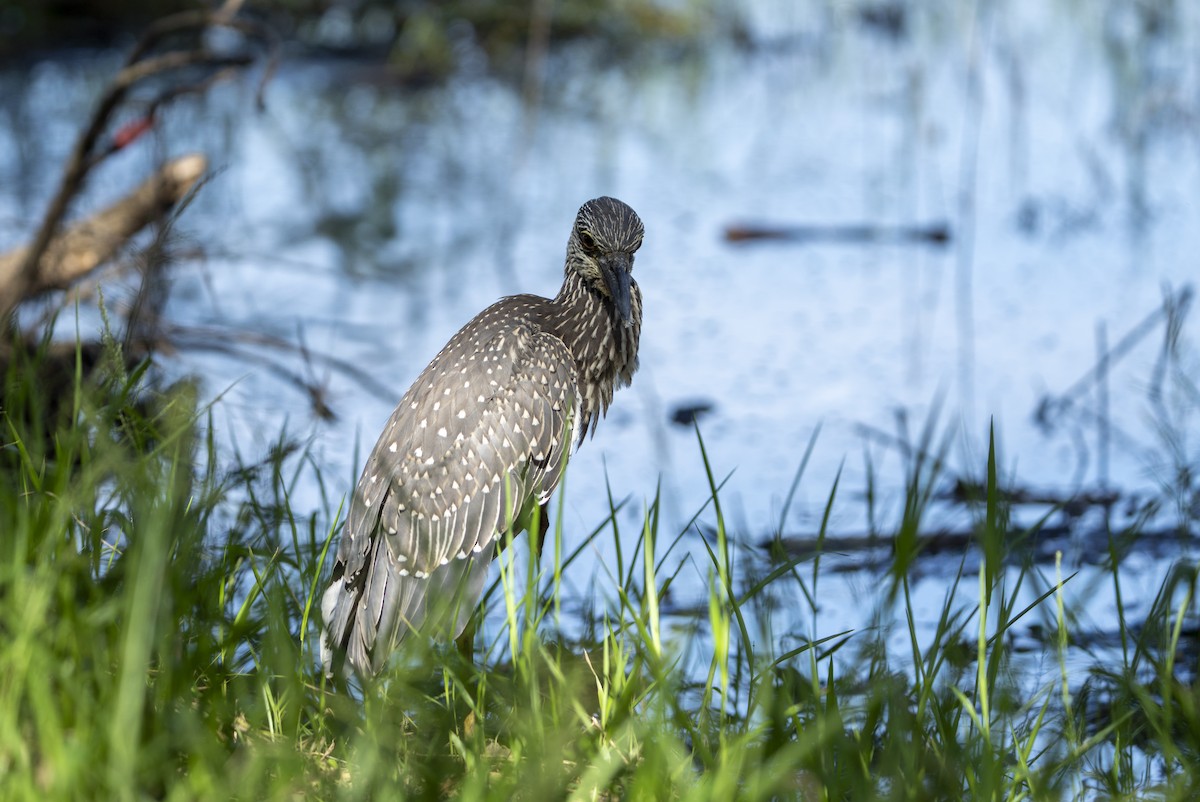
(482, 432)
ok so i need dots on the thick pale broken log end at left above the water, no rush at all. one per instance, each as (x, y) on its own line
(88, 244)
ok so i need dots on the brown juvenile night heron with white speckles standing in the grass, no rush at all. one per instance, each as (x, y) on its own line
(479, 442)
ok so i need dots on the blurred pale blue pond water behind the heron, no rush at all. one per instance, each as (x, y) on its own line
(370, 223)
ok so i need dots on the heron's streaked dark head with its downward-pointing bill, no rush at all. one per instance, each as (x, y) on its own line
(605, 236)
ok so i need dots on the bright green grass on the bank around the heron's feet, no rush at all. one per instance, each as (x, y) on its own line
(159, 641)
